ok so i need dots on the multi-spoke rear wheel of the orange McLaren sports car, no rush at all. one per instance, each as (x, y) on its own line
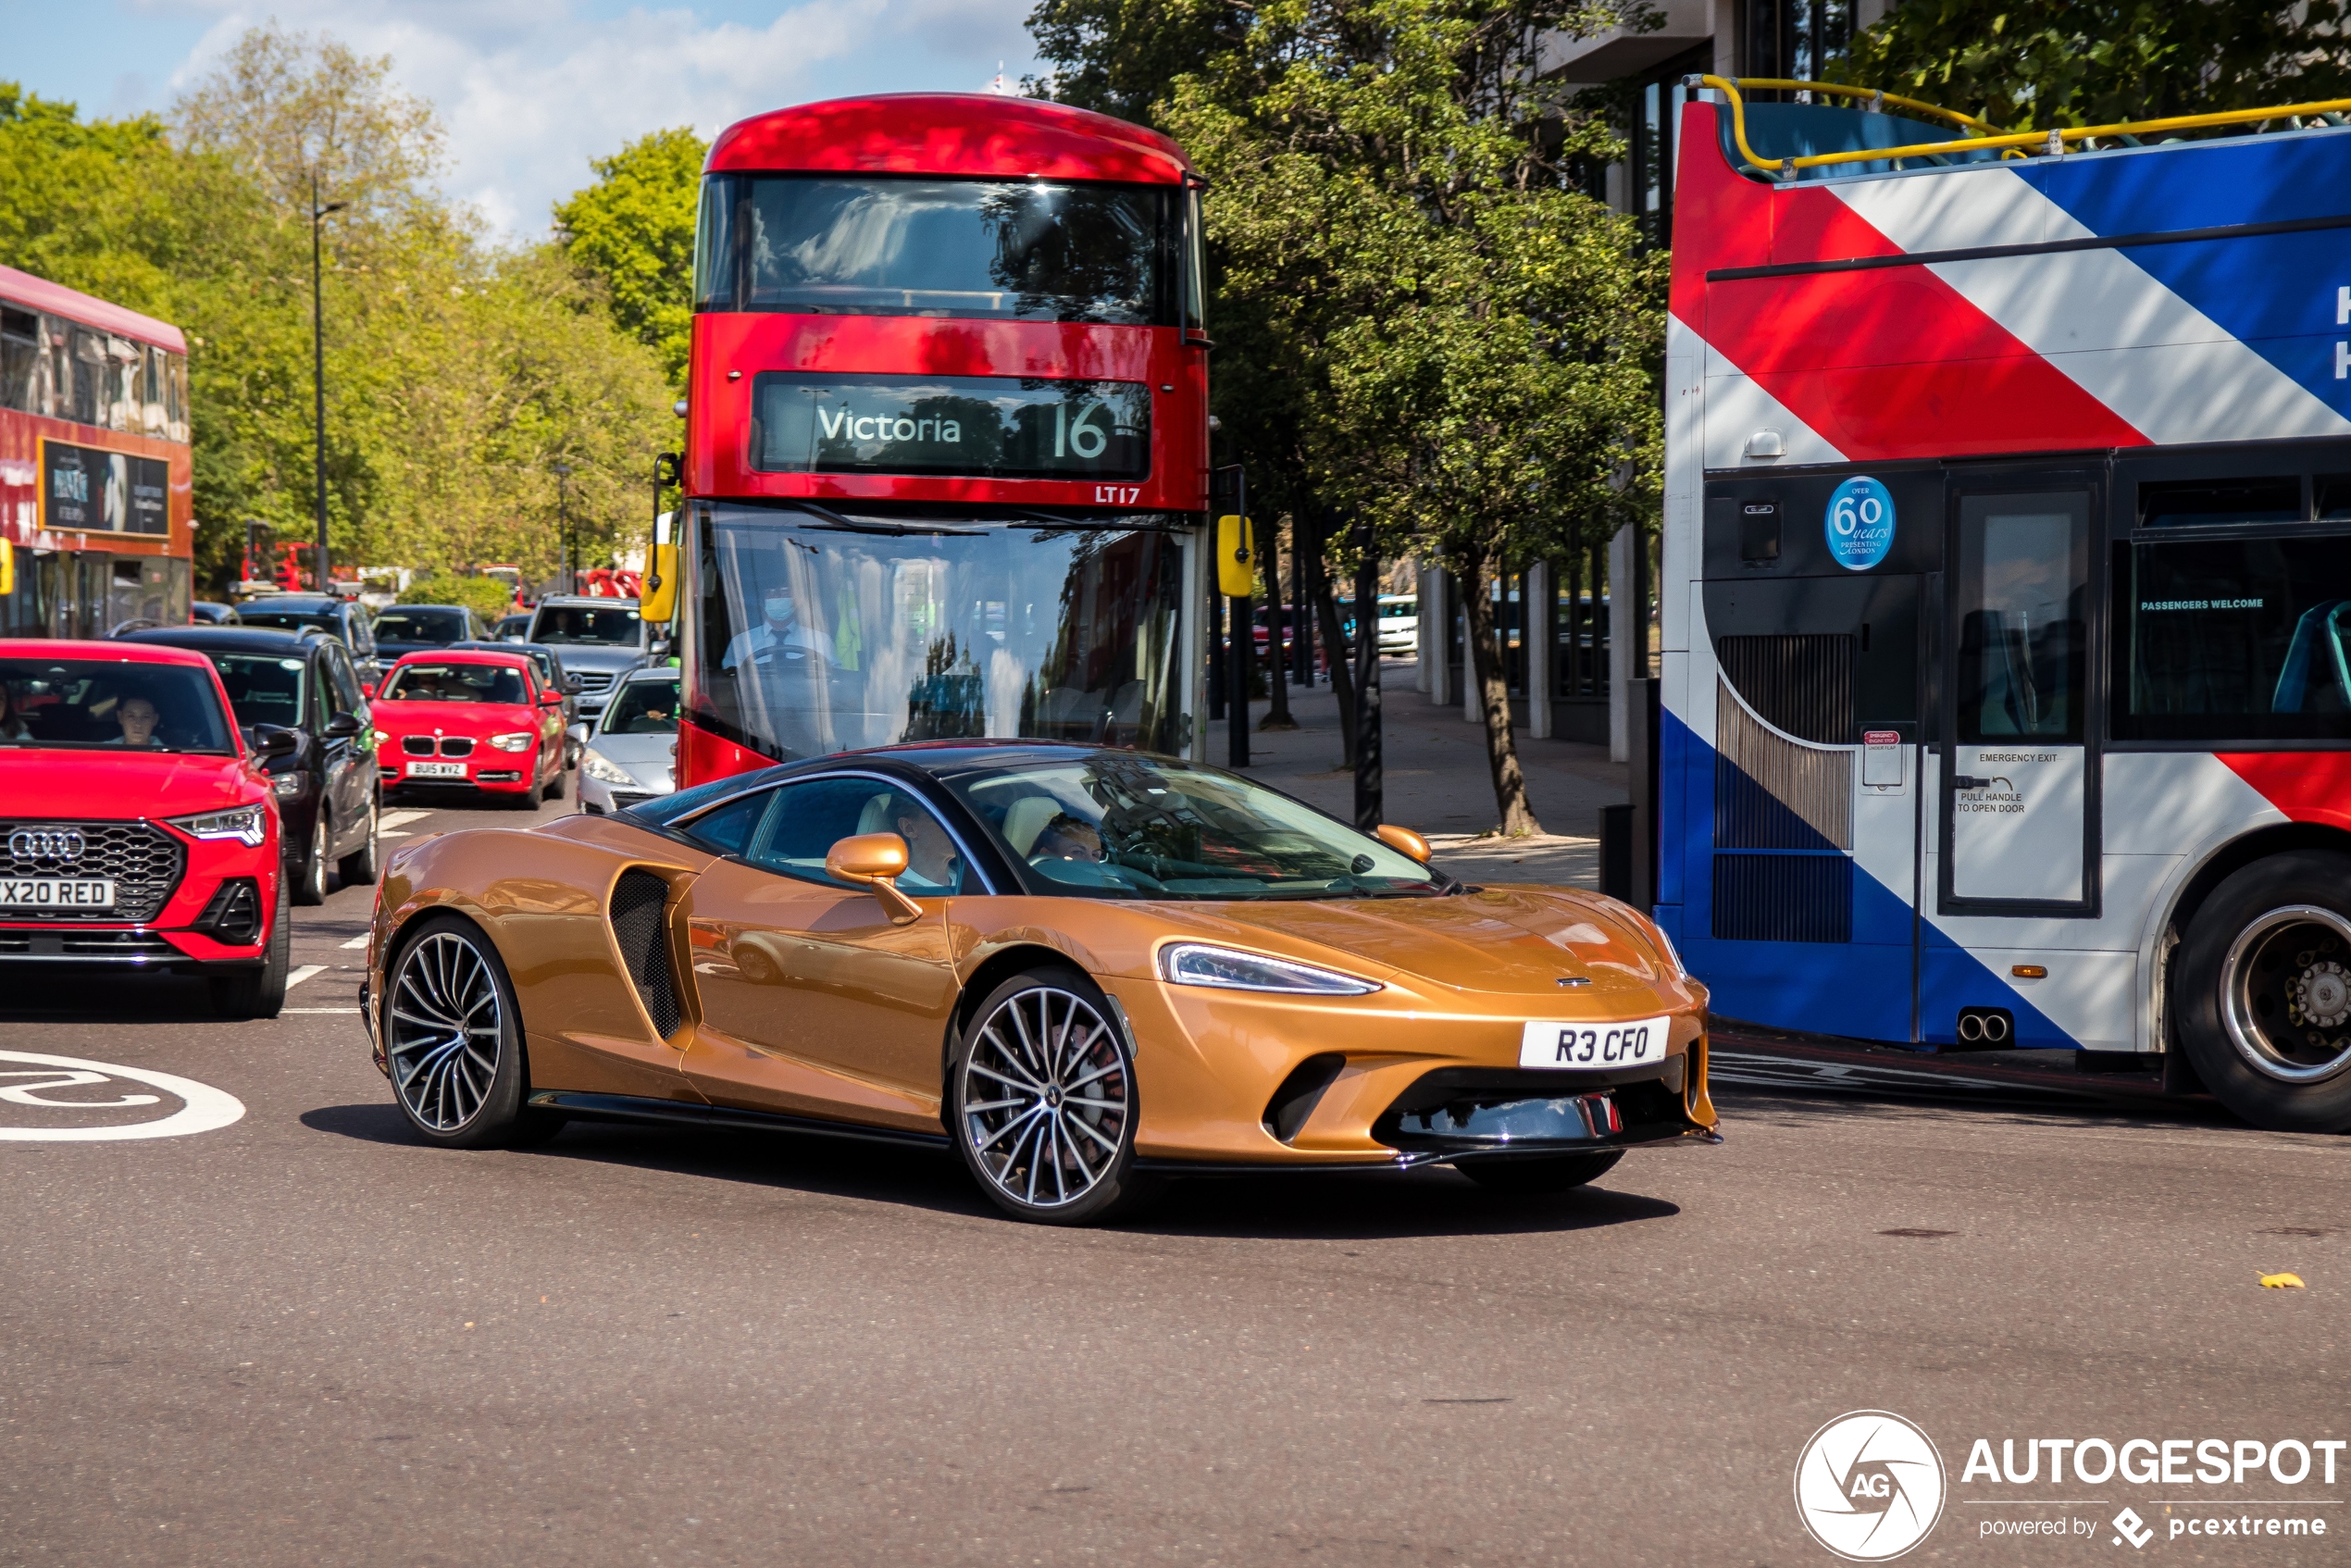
(446, 1031)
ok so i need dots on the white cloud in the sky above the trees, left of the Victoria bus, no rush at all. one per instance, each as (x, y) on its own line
(530, 91)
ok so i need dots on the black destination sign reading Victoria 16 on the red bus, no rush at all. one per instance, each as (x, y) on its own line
(979, 427)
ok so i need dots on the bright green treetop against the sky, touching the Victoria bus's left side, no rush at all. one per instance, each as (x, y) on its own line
(634, 232)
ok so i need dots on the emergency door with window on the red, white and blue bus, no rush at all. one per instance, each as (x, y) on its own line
(2021, 793)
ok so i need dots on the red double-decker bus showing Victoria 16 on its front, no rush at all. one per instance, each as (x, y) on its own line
(946, 434)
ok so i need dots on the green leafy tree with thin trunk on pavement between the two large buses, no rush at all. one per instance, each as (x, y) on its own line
(1431, 326)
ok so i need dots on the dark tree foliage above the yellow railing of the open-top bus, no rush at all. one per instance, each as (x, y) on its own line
(2103, 62)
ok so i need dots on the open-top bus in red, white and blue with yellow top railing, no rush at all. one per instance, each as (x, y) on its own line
(2007, 690)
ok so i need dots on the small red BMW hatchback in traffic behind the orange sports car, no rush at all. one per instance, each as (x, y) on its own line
(474, 721)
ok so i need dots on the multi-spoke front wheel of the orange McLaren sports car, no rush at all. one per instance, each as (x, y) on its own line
(1045, 1099)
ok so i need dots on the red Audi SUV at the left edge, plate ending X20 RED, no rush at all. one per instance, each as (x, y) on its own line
(135, 826)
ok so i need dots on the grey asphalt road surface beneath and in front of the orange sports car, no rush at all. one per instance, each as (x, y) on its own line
(304, 1339)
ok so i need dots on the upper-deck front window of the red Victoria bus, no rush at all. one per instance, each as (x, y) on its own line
(862, 246)
